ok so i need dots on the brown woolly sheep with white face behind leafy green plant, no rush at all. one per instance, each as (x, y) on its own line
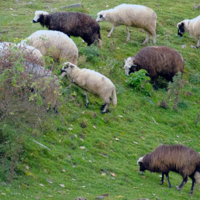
(157, 61)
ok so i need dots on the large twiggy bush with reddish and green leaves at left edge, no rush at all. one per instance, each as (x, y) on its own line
(23, 103)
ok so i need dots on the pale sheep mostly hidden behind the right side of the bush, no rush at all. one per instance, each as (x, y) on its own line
(40, 77)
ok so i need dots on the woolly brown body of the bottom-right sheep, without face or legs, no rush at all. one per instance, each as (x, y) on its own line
(176, 158)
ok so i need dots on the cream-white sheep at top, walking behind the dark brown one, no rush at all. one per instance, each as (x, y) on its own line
(131, 15)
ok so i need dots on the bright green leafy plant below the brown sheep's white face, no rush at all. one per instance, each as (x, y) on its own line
(140, 82)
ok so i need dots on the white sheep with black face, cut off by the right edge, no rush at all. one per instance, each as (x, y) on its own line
(191, 26)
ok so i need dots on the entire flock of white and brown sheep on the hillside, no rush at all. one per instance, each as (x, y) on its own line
(156, 60)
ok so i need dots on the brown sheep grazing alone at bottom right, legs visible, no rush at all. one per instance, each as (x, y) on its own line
(177, 158)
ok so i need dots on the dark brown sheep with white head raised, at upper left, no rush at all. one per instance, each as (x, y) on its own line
(71, 23)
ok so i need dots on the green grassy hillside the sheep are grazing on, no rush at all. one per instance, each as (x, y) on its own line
(87, 147)
